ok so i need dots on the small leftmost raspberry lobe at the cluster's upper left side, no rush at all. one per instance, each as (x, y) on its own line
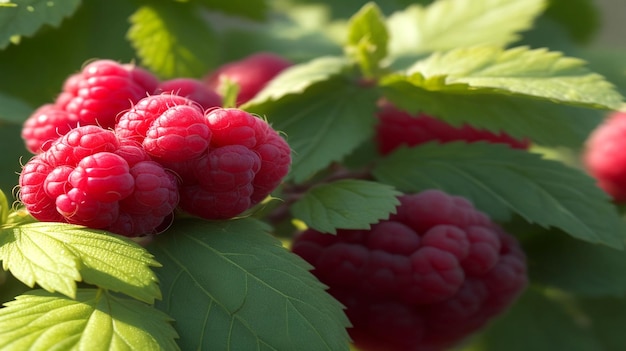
(46, 124)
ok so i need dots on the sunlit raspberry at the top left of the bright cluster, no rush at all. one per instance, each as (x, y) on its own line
(103, 89)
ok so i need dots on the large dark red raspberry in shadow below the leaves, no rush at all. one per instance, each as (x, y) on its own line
(425, 279)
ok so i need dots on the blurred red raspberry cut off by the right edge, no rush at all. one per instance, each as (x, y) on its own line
(604, 158)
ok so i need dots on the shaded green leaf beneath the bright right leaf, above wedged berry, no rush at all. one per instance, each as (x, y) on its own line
(542, 121)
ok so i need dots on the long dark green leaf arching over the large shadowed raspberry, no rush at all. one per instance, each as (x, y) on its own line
(500, 180)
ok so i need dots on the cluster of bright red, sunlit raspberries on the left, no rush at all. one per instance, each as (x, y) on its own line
(121, 150)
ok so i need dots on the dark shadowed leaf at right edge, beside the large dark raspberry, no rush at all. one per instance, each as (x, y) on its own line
(556, 263)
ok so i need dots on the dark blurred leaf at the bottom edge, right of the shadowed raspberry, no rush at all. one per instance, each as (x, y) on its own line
(537, 322)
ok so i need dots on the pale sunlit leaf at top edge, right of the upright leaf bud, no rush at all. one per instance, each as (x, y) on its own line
(449, 24)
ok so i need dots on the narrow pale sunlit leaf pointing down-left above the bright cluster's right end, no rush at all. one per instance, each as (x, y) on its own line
(296, 79)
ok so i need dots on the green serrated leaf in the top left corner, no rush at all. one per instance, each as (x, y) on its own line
(30, 15)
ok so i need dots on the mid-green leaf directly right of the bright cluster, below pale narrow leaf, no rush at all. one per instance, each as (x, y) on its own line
(323, 124)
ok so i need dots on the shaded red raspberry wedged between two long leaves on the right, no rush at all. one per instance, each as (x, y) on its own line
(397, 127)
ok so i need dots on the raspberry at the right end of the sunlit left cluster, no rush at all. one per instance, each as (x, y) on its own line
(246, 161)
